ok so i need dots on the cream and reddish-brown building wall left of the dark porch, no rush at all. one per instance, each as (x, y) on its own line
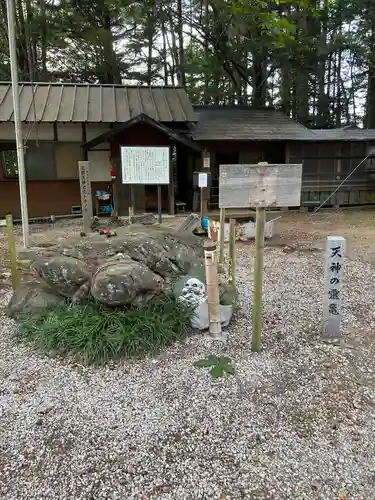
(51, 168)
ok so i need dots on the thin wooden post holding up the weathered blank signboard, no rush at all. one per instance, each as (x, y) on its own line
(258, 279)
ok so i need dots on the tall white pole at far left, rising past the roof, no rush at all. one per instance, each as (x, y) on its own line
(17, 121)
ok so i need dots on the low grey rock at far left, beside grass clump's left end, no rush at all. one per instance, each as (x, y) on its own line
(31, 298)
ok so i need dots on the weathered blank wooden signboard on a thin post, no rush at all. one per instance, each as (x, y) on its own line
(261, 185)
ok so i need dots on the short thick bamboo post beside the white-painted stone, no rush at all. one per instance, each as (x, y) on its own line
(213, 297)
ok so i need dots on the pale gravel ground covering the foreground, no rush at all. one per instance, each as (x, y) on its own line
(296, 422)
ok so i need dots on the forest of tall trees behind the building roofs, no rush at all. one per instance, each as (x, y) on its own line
(314, 60)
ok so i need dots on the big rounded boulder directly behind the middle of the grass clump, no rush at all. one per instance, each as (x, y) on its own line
(125, 282)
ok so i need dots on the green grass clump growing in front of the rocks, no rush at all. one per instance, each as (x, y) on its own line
(95, 336)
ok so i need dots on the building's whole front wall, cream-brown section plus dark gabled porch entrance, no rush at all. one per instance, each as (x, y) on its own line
(52, 168)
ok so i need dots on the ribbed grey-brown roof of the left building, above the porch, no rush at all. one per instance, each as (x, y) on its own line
(56, 102)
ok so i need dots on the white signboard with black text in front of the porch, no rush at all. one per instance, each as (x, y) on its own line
(145, 165)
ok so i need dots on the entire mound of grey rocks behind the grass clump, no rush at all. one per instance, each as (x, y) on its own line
(128, 269)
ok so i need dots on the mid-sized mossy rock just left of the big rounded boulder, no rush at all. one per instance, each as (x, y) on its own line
(65, 275)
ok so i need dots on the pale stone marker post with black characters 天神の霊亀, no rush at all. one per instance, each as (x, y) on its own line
(334, 267)
